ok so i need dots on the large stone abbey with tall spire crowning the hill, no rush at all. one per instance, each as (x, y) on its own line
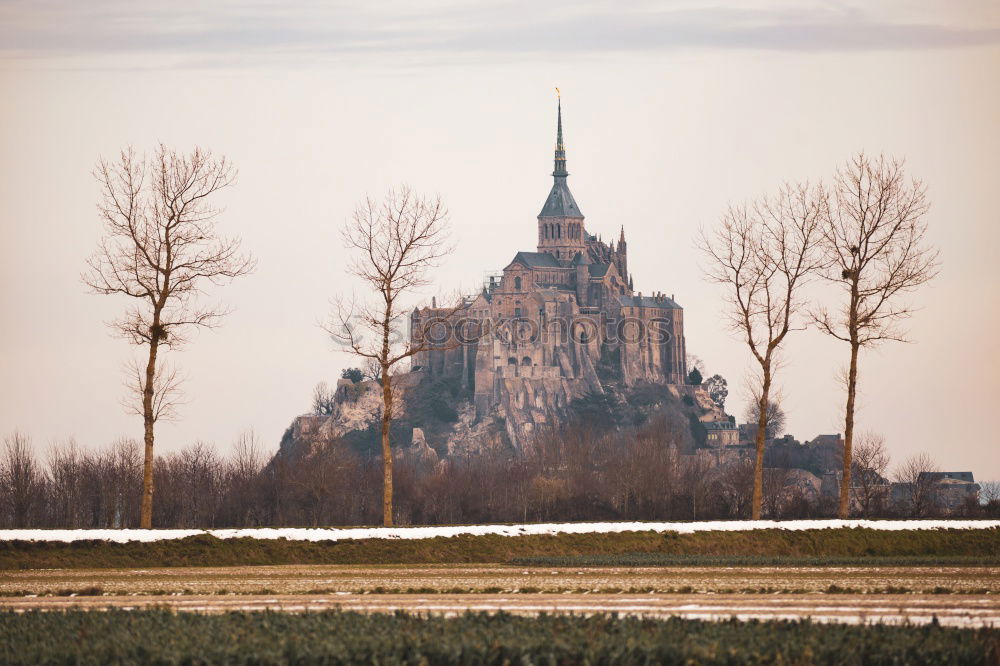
(563, 319)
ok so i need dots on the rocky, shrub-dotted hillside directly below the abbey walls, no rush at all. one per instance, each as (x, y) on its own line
(432, 422)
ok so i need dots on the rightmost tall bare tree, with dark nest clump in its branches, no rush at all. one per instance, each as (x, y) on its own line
(874, 241)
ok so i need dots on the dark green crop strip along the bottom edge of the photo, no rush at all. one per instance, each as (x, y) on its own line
(156, 636)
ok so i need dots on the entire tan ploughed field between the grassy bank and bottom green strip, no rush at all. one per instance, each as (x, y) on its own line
(956, 596)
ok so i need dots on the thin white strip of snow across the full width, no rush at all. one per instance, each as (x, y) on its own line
(338, 534)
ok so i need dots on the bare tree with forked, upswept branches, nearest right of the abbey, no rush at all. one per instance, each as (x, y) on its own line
(763, 253)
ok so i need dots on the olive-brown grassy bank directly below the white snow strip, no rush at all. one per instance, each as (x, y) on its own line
(767, 546)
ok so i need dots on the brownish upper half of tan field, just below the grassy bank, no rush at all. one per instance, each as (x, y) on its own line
(467, 579)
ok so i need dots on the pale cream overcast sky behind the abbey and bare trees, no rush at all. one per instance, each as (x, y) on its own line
(672, 111)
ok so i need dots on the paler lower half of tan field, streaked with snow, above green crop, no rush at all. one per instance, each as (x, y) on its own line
(951, 610)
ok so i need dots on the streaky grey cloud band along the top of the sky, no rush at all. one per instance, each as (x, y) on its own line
(220, 31)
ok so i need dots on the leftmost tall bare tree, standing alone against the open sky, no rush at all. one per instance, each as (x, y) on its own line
(161, 248)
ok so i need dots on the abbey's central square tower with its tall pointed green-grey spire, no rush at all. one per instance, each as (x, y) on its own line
(560, 224)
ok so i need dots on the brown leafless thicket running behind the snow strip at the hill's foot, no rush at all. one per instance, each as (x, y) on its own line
(577, 474)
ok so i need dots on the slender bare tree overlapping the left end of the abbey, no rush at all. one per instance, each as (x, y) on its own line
(395, 241)
